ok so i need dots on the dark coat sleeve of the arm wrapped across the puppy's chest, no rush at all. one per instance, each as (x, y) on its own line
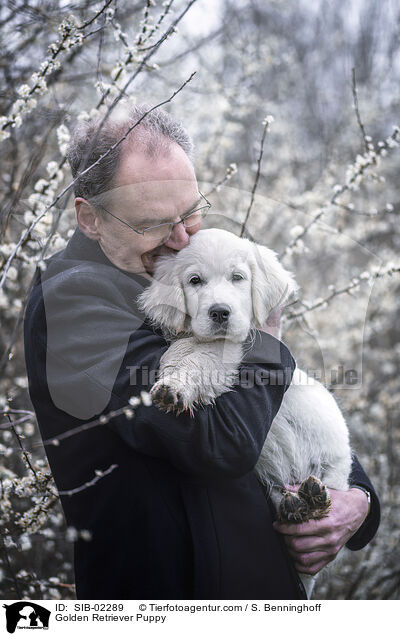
(100, 353)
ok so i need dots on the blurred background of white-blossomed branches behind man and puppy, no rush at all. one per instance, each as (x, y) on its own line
(314, 85)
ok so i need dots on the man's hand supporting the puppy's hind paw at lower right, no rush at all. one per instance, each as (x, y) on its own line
(313, 544)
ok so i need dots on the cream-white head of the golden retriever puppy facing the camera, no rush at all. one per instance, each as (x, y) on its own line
(219, 286)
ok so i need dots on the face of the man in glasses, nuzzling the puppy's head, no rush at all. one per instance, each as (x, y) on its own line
(148, 191)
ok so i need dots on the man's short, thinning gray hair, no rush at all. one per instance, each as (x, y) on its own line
(92, 139)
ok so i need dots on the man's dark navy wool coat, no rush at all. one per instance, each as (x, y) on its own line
(181, 513)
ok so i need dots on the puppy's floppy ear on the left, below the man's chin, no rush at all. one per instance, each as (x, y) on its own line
(164, 301)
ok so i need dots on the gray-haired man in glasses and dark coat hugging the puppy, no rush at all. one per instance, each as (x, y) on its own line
(172, 504)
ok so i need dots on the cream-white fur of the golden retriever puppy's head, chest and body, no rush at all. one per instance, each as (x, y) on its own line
(309, 434)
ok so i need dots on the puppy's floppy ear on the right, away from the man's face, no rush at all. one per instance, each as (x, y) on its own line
(272, 285)
